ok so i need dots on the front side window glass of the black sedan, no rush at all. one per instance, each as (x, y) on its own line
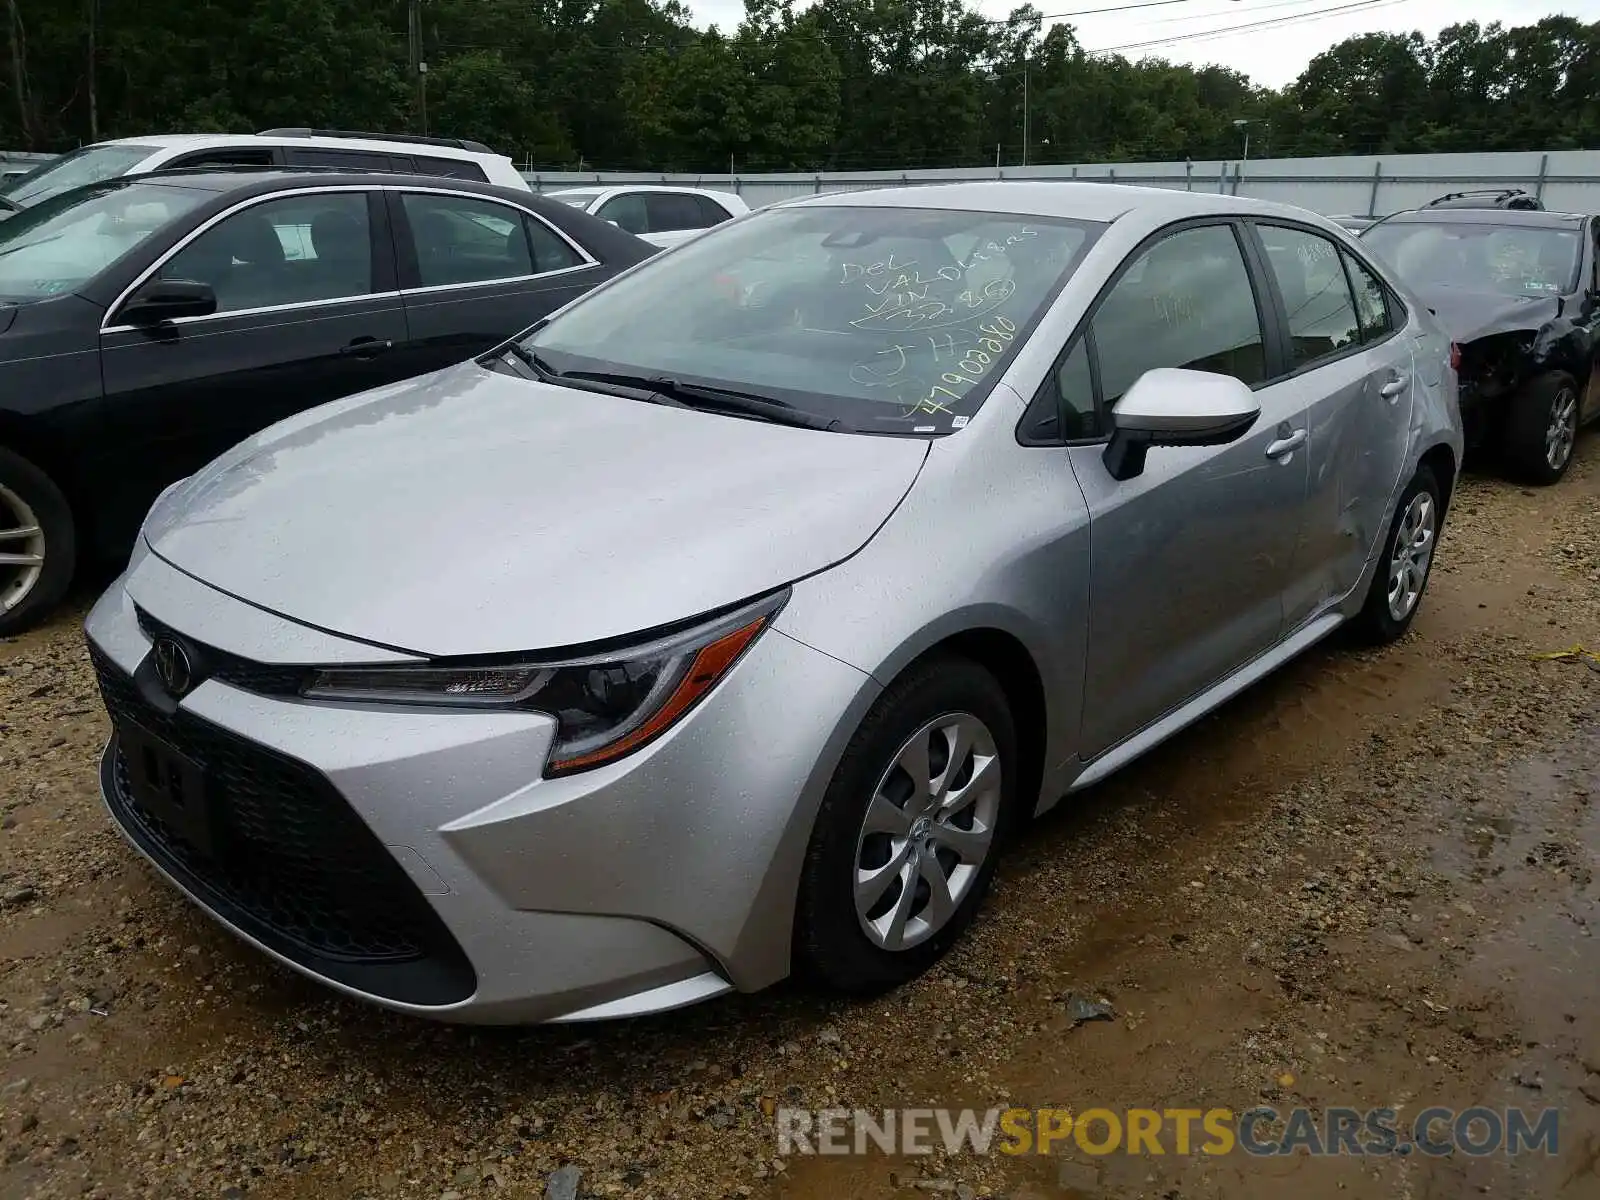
(284, 252)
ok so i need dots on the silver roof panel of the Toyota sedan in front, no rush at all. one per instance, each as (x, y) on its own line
(1066, 199)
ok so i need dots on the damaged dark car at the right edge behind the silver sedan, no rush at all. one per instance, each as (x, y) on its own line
(1519, 295)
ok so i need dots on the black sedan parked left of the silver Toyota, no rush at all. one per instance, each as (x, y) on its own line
(151, 322)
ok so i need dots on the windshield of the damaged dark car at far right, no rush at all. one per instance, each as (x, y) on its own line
(1511, 260)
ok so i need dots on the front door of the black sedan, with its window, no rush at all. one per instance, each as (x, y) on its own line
(308, 313)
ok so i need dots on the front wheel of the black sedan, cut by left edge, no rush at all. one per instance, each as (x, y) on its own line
(31, 503)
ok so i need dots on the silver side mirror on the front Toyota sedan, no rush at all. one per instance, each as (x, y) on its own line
(1174, 407)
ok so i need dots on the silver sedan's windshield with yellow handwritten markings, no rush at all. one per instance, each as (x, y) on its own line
(882, 319)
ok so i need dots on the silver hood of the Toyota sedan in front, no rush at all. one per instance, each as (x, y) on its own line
(474, 513)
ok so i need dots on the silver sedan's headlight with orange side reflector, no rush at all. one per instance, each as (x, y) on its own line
(606, 705)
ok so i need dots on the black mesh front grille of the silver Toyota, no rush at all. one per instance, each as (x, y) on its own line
(290, 863)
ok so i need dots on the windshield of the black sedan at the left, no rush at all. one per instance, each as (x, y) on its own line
(66, 241)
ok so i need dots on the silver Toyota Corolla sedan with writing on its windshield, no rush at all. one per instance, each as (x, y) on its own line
(708, 631)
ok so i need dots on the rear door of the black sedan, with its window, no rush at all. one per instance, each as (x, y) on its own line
(474, 271)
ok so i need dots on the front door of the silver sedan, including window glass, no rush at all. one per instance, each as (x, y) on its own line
(1190, 559)
